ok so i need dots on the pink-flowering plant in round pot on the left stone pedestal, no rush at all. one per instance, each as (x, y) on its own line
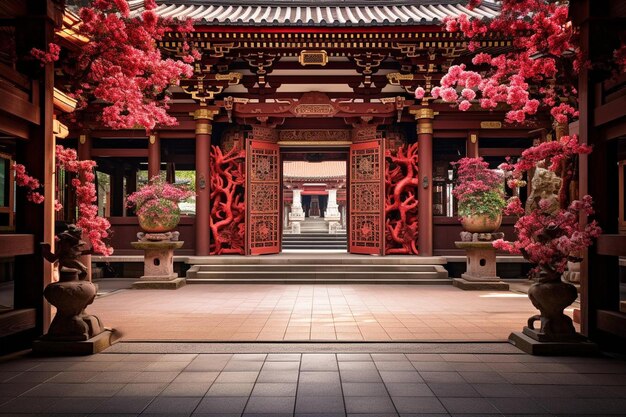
(156, 205)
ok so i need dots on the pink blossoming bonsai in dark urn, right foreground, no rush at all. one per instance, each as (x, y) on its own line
(548, 236)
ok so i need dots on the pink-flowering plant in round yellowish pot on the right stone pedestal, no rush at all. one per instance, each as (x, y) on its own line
(480, 195)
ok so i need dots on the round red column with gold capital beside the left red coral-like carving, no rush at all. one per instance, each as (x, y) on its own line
(203, 118)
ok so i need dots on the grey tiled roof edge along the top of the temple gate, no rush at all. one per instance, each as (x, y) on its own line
(316, 13)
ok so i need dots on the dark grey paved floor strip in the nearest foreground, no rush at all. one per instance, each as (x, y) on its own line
(314, 385)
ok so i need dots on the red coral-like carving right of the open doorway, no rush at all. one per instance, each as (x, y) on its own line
(401, 185)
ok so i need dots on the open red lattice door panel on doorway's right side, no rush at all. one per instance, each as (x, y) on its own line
(367, 163)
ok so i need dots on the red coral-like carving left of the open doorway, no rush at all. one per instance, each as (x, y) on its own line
(227, 221)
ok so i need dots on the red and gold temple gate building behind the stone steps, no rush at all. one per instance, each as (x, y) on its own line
(317, 82)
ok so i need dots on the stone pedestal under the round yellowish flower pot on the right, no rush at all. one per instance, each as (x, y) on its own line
(481, 266)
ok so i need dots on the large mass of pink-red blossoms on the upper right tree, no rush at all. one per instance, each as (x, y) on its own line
(542, 41)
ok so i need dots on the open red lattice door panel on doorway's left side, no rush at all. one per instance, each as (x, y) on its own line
(263, 173)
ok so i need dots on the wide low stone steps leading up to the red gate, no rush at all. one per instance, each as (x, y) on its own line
(311, 268)
